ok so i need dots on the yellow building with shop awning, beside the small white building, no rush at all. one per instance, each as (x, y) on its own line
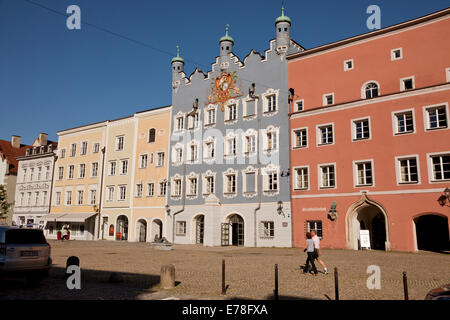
(77, 182)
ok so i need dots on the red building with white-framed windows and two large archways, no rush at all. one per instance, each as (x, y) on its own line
(370, 145)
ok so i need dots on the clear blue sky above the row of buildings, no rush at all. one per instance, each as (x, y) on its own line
(52, 78)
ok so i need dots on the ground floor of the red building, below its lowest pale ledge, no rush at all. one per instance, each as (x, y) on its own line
(396, 221)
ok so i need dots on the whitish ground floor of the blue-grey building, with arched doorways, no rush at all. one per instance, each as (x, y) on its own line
(216, 224)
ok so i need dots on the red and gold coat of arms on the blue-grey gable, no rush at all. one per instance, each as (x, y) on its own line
(224, 88)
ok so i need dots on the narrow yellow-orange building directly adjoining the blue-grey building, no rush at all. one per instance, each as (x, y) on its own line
(150, 174)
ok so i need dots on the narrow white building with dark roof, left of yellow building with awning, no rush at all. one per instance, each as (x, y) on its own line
(34, 183)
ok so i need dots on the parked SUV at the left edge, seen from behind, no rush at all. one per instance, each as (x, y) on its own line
(24, 252)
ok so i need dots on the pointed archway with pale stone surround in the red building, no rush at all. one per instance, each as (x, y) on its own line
(368, 215)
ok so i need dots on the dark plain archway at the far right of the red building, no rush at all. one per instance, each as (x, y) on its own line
(432, 232)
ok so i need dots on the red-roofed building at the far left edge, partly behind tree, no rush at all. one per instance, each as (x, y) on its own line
(9, 151)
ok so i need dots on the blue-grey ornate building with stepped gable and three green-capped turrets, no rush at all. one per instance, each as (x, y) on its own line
(229, 153)
